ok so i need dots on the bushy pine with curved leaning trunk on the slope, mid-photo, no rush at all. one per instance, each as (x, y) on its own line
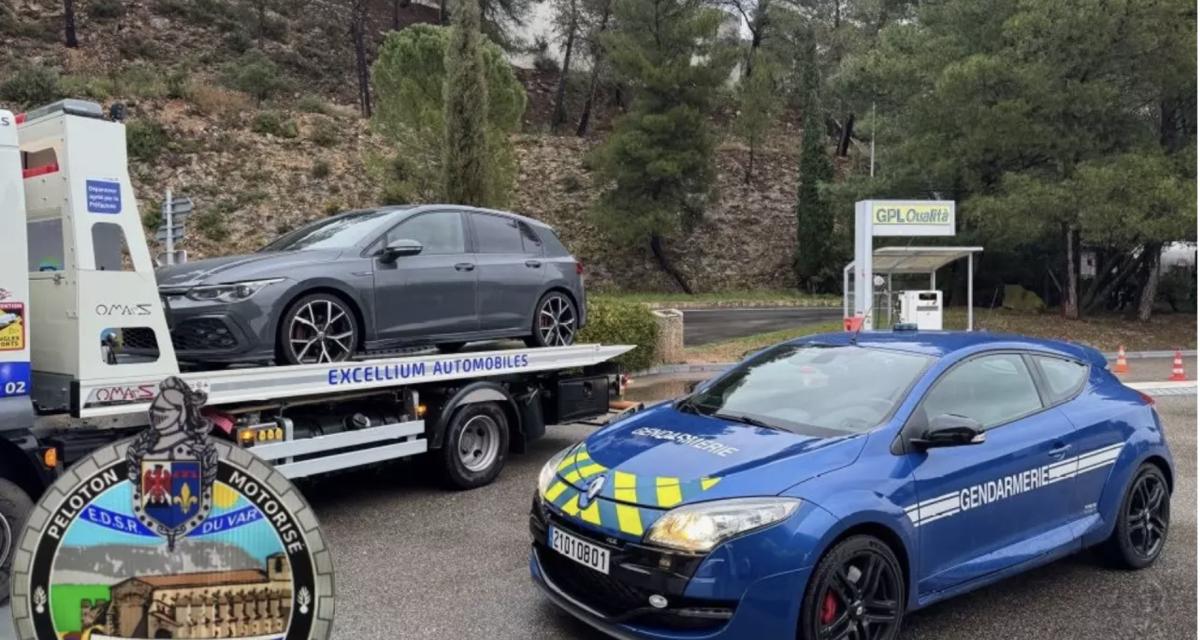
(659, 158)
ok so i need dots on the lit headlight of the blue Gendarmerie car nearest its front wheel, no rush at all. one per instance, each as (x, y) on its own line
(700, 528)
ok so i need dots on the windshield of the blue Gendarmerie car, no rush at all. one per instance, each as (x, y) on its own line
(813, 390)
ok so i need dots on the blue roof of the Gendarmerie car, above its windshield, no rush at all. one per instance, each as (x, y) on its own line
(943, 344)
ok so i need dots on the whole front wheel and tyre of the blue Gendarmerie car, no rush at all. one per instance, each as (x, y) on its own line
(857, 593)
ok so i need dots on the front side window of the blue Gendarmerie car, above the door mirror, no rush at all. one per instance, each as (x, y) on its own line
(989, 390)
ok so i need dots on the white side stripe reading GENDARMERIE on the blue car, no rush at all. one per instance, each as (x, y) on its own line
(1006, 487)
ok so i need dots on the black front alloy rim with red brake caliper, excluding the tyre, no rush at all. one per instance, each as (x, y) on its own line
(860, 600)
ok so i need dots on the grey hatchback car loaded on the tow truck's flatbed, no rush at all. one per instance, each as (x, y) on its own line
(376, 280)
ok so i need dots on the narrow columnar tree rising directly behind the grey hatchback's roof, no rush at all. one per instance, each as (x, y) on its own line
(466, 110)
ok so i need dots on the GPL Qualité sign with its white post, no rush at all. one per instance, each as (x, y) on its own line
(891, 219)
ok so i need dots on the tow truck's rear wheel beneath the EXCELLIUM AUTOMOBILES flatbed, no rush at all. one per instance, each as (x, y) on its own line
(476, 446)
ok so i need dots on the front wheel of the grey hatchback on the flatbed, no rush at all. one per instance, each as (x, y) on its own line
(319, 328)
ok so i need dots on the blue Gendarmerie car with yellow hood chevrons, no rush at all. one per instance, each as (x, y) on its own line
(826, 487)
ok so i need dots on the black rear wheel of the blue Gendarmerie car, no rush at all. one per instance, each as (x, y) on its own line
(1145, 517)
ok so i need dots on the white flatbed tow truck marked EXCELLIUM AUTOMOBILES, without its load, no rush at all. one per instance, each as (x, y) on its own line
(76, 273)
